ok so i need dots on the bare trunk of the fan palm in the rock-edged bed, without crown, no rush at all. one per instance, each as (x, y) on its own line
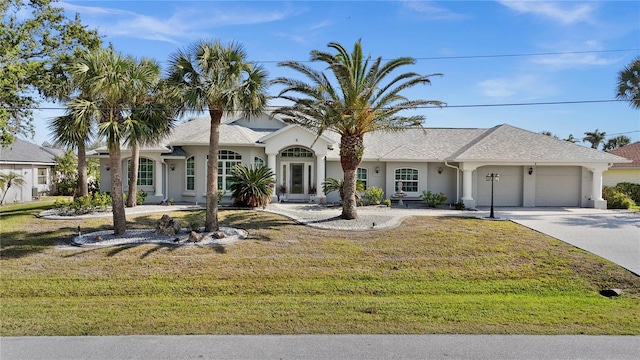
(211, 220)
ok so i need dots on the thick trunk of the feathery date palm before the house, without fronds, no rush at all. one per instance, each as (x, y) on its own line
(351, 150)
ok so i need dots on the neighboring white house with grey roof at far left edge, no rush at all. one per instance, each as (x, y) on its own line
(35, 164)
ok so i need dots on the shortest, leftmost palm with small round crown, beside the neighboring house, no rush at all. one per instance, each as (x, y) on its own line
(73, 131)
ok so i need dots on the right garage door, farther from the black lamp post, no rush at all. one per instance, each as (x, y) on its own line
(558, 186)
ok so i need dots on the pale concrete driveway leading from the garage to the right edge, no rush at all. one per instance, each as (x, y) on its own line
(611, 234)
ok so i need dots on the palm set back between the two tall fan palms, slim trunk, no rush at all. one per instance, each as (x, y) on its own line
(151, 120)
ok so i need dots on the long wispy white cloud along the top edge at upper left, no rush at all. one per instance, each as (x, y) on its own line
(183, 23)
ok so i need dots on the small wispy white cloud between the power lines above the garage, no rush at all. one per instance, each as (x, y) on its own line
(523, 86)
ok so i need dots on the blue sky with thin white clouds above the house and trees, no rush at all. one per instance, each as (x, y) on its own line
(538, 65)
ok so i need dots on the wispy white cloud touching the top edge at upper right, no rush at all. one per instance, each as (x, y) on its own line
(563, 12)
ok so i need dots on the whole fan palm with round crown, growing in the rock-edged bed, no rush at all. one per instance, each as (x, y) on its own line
(218, 78)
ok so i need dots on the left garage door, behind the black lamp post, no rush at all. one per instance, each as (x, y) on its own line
(506, 192)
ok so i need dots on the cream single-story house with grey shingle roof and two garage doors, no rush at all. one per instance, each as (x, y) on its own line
(534, 169)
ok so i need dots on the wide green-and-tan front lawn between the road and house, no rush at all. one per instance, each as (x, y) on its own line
(429, 275)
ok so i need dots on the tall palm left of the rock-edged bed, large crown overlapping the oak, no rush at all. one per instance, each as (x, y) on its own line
(113, 82)
